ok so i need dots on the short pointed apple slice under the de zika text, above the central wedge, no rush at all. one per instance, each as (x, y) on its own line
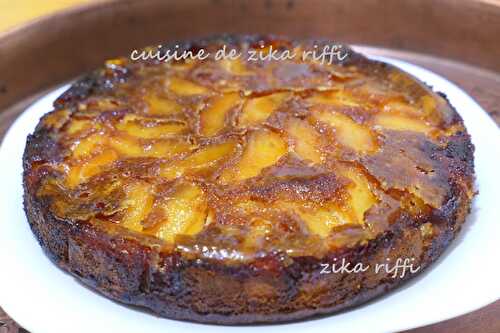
(257, 110)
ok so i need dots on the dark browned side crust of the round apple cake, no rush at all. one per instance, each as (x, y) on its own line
(272, 286)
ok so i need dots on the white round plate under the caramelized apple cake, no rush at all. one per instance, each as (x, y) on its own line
(43, 298)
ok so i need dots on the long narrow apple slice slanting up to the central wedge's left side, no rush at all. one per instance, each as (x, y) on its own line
(204, 158)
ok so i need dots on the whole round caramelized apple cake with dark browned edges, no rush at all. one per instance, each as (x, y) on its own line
(282, 182)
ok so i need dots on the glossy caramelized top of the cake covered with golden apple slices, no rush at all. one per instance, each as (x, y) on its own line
(228, 158)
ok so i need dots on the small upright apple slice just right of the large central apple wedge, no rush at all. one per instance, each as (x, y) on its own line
(306, 141)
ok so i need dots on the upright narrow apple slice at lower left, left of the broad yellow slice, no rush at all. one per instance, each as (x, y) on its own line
(139, 201)
